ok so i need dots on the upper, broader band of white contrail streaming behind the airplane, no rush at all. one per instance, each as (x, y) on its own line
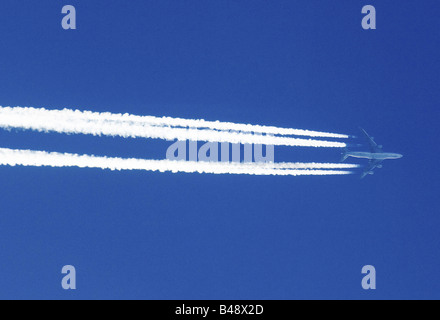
(86, 122)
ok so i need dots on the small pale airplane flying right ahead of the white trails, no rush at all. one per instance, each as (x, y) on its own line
(376, 156)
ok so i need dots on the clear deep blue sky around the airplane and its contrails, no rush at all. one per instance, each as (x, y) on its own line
(301, 64)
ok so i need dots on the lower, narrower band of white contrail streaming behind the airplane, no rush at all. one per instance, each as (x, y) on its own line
(13, 157)
